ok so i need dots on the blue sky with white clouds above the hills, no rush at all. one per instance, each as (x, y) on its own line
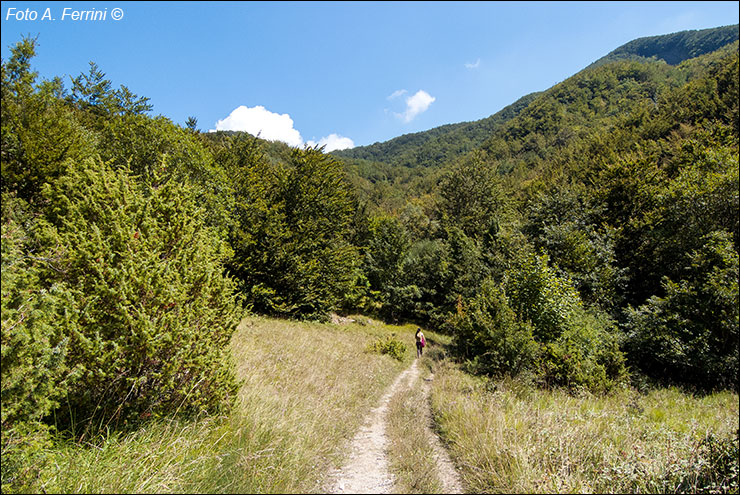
(340, 73)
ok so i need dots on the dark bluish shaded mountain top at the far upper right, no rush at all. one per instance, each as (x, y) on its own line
(674, 48)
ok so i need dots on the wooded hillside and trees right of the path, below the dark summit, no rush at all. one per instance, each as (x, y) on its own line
(601, 205)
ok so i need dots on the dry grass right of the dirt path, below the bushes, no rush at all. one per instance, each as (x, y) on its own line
(507, 436)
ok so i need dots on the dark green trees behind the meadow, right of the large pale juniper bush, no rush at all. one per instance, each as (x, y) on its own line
(291, 240)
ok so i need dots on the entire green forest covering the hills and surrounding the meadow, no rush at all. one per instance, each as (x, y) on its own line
(585, 236)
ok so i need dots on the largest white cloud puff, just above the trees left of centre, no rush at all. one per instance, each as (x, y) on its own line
(260, 121)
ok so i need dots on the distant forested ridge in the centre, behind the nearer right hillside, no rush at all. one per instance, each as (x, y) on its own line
(436, 146)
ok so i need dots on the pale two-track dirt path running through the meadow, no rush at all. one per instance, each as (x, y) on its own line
(366, 470)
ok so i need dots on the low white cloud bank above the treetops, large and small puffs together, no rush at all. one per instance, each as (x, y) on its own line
(271, 126)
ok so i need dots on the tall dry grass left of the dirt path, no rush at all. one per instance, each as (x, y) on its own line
(306, 388)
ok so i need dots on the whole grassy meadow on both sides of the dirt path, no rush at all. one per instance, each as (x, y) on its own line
(306, 388)
